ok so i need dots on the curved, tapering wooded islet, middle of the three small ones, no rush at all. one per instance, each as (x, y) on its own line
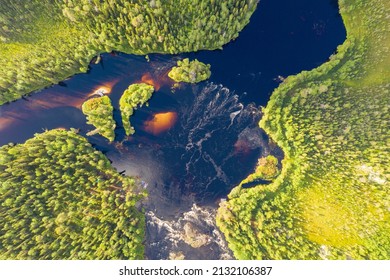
(135, 95)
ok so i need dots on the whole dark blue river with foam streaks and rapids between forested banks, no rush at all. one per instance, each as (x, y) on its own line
(193, 145)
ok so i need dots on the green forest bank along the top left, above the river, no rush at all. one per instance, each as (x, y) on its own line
(43, 42)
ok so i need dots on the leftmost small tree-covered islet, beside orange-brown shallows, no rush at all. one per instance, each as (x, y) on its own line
(99, 112)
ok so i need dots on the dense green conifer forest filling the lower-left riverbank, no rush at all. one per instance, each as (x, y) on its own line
(61, 199)
